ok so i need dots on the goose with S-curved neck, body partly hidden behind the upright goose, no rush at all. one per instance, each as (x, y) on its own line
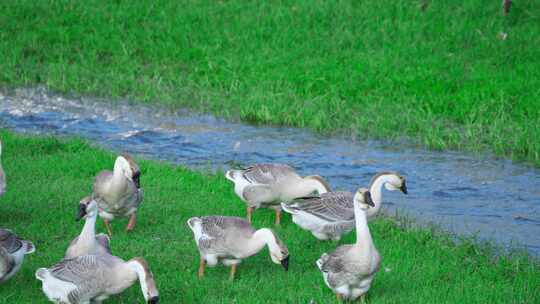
(331, 214)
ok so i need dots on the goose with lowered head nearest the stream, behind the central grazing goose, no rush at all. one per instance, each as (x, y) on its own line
(267, 185)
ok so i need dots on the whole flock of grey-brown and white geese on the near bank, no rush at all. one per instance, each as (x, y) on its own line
(90, 273)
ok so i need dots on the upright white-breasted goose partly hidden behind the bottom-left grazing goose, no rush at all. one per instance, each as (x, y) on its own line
(88, 242)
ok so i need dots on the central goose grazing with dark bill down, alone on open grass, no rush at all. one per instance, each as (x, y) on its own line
(231, 239)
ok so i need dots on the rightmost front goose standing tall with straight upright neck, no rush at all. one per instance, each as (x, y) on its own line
(350, 269)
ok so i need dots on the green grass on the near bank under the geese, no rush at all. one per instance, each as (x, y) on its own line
(48, 176)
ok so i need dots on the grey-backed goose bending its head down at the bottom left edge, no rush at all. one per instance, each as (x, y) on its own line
(94, 278)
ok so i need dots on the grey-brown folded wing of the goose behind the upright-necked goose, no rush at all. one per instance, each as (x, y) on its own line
(330, 206)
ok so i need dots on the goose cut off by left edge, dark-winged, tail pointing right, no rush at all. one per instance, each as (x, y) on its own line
(12, 252)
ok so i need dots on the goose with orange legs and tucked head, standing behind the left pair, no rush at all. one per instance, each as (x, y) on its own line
(118, 192)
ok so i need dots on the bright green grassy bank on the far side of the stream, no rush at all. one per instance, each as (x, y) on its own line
(377, 68)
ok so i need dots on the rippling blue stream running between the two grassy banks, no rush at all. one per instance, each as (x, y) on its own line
(493, 199)
